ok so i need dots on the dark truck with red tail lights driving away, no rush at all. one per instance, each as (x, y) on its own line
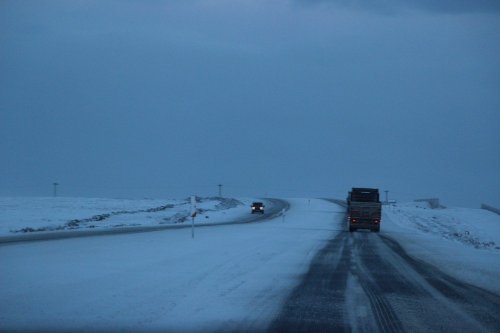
(364, 209)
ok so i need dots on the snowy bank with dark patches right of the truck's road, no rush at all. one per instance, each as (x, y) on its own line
(463, 242)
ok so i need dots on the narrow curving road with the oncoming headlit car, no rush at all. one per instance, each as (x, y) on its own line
(273, 210)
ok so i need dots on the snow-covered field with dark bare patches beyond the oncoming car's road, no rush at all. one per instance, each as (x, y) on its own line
(26, 215)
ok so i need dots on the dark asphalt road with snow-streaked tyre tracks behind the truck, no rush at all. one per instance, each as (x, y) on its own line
(366, 282)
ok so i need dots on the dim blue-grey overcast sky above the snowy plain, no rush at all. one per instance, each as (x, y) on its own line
(294, 98)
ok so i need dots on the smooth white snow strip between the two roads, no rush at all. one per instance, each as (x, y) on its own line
(226, 276)
